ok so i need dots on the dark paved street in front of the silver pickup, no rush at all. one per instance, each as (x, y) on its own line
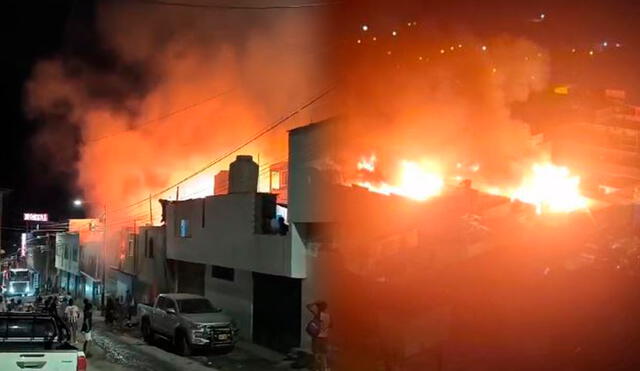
(115, 350)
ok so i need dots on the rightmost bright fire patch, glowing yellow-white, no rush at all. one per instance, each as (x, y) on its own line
(551, 188)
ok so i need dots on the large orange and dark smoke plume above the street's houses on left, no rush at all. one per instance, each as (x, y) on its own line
(159, 91)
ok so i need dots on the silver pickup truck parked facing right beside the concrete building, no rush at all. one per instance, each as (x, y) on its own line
(189, 321)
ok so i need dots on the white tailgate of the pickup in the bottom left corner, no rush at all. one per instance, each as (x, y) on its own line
(50, 360)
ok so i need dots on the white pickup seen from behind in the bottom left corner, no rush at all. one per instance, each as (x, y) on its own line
(37, 341)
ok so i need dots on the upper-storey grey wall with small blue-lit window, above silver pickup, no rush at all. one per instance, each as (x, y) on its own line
(228, 237)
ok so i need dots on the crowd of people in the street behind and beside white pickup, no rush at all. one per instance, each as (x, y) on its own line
(62, 308)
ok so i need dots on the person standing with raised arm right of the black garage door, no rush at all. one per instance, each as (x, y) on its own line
(320, 334)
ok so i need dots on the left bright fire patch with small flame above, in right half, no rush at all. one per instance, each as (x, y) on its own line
(417, 181)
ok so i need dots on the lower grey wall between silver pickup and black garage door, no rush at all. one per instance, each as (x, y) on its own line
(235, 298)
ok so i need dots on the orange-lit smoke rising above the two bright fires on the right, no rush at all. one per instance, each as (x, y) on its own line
(448, 100)
